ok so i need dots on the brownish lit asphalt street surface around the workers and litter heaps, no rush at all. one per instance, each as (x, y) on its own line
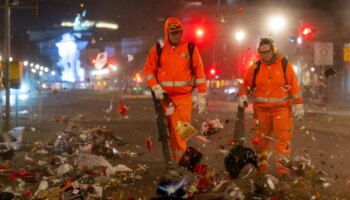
(324, 136)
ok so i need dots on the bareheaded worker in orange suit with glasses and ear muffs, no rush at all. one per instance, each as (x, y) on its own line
(274, 92)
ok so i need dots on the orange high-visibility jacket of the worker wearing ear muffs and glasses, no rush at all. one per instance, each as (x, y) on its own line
(271, 87)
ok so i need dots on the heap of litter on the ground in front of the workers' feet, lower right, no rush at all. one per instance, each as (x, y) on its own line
(191, 179)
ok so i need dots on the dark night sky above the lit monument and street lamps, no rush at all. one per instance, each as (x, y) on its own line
(133, 15)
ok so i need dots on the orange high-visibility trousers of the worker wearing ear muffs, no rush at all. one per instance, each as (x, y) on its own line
(277, 120)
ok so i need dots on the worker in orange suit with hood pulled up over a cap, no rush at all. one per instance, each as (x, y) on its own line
(173, 75)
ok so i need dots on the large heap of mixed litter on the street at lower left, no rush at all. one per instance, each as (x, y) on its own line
(73, 165)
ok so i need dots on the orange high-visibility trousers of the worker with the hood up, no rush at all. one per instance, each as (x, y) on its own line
(183, 110)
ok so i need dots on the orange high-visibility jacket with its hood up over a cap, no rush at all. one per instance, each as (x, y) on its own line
(174, 72)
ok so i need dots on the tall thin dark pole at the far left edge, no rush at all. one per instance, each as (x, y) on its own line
(7, 57)
